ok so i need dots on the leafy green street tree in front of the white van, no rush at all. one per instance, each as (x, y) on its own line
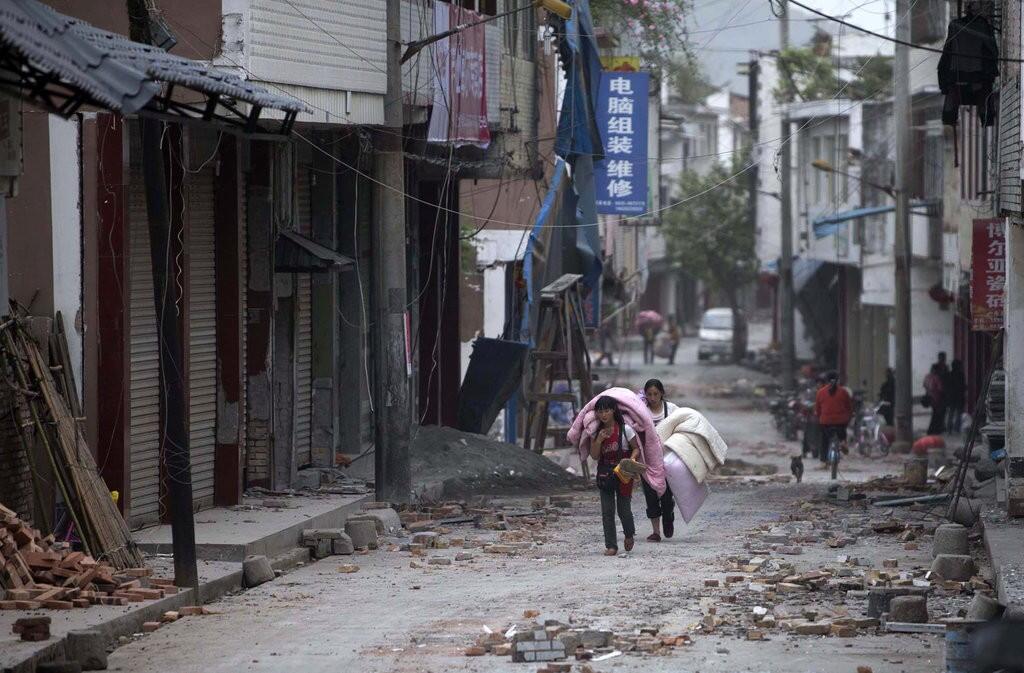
(710, 236)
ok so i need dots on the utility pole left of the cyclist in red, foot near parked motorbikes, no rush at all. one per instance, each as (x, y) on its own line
(787, 304)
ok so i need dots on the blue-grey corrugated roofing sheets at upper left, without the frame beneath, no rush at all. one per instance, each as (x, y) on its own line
(108, 69)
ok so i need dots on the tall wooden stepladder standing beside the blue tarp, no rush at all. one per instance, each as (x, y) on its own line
(561, 355)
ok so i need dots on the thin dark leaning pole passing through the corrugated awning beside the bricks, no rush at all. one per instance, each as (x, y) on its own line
(175, 439)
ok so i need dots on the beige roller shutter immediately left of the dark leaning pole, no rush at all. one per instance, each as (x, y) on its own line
(144, 459)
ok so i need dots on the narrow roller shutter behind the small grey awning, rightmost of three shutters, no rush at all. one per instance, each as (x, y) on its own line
(304, 328)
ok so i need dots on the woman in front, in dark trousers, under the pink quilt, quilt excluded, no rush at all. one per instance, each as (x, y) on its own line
(615, 442)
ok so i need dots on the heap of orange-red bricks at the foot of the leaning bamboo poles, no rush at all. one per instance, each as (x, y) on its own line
(37, 573)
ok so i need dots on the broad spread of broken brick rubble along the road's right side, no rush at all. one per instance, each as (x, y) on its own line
(764, 591)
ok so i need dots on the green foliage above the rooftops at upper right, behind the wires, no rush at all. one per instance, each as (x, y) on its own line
(808, 76)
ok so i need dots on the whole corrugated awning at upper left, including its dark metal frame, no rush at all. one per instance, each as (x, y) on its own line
(61, 63)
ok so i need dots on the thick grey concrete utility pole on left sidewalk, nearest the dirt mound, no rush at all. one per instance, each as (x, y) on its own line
(394, 415)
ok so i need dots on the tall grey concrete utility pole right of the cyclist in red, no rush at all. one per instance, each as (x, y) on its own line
(902, 121)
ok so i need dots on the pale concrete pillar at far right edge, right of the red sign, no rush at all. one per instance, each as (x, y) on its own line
(1014, 365)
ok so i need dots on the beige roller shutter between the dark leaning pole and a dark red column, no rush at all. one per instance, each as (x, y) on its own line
(202, 336)
